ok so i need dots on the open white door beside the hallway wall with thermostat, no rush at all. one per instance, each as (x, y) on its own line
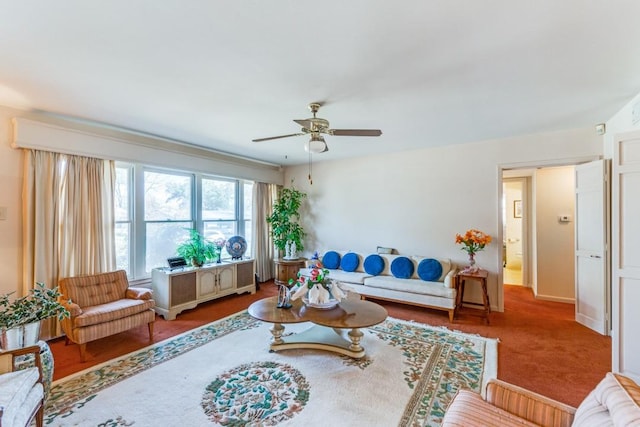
(591, 264)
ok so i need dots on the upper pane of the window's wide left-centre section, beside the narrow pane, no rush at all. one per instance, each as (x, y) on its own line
(167, 196)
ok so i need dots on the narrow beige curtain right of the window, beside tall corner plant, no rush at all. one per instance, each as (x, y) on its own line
(264, 197)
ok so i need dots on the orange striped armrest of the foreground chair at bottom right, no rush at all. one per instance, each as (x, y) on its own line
(529, 405)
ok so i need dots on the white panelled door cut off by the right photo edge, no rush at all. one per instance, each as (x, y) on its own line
(625, 341)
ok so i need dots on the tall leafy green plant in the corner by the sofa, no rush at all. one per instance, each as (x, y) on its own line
(286, 231)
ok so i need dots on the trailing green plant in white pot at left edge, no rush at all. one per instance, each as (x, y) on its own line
(20, 319)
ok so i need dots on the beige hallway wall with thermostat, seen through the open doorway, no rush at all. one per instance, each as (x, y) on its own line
(555, 195)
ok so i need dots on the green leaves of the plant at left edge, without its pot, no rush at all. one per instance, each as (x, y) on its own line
(41, 303)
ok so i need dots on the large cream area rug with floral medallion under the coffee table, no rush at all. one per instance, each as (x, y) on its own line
(224, 374)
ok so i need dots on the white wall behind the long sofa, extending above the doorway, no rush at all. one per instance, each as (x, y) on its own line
(416, 201)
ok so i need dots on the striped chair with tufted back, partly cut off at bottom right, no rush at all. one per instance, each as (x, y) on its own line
(614, 402)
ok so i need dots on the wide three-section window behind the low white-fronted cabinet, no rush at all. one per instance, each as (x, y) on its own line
(155, 207)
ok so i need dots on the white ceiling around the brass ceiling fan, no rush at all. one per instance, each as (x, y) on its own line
(220, 73)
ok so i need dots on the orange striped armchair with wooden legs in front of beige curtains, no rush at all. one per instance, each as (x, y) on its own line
(102, 305)
